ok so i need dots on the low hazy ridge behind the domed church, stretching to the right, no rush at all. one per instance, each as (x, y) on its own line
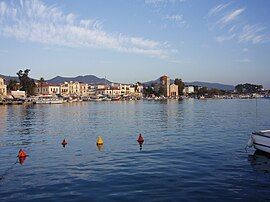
(202, 84)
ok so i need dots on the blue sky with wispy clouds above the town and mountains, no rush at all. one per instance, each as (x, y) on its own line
(138, 40)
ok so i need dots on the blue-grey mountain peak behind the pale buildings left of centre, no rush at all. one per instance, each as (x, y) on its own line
(90, 79)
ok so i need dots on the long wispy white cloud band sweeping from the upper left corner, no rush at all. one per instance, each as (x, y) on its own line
(35, 21)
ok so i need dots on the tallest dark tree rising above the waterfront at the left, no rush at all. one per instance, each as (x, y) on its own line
(26, 84)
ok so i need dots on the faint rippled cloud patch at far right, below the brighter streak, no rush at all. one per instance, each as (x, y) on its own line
(252, 33)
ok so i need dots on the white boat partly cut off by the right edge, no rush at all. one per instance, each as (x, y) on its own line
(260, 140)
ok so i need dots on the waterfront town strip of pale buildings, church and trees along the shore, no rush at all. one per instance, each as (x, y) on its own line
(42, 92)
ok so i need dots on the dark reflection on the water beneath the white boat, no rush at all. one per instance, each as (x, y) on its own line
(260, 161)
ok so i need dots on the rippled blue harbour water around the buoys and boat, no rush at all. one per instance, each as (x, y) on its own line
(194, 150)
